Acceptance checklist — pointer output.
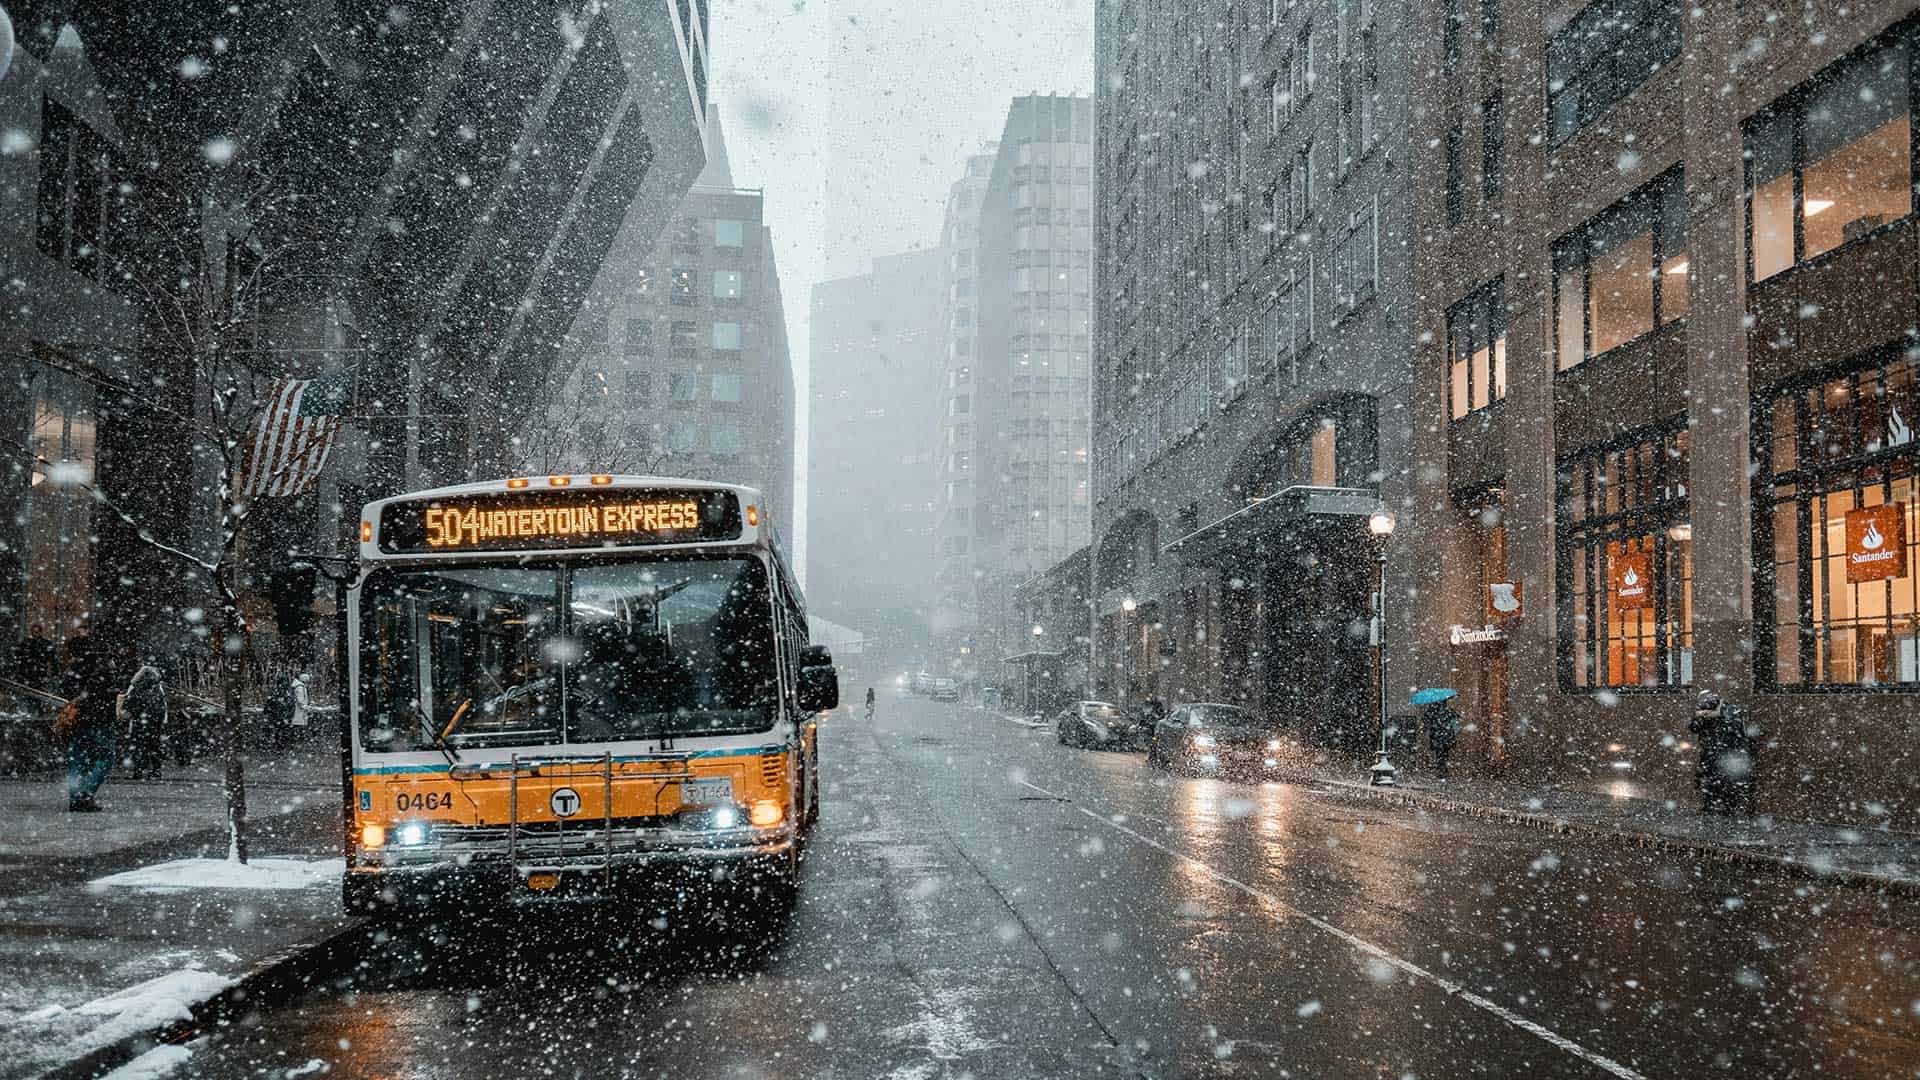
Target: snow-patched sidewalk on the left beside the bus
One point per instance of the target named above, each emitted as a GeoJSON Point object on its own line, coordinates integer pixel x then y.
{"type": "Point", "coordinates": [112, 927]}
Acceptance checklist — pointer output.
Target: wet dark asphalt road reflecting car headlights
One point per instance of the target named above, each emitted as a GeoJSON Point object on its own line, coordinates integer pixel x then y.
{"type": "Point", "coordinates": [982, 902]}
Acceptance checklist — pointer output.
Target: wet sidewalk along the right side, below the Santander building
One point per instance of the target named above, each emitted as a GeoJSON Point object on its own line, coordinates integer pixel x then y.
{"type": "Point", "coordinates": [1869, 858]}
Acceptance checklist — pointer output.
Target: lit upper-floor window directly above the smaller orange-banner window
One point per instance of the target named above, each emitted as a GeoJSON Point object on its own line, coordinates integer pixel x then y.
{"type": "Point", "coordinates": [1621, 274]}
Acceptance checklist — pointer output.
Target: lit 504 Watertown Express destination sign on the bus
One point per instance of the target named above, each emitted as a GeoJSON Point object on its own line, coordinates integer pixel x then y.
{"type": "Point", "coordinates": [521, 522]}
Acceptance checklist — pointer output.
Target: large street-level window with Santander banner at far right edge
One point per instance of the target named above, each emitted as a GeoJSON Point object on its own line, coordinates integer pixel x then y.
{"type": "Point", "coordinates": [1836, 604]}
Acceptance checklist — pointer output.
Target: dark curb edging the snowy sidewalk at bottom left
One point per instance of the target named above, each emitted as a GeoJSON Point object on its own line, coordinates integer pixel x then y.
{"type": "Point", "coordinates": [274, 981]}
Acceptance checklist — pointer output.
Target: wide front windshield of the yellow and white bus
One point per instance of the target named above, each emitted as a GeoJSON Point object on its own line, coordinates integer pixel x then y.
{"type": "Point", "coordinates": [565, 654]}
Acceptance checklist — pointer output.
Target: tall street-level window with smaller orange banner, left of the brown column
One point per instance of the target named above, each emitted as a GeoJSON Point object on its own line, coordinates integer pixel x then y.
{"type": "Point", "coordinates": [1625, 566]}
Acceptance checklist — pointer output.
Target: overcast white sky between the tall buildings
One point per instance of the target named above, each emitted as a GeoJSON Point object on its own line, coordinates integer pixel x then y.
{"type": "Point", "coordinates": [857, 116]}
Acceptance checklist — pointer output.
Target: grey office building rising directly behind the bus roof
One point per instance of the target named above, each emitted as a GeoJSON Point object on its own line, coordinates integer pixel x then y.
{"type": "Point", "coordinates": [681, 356]}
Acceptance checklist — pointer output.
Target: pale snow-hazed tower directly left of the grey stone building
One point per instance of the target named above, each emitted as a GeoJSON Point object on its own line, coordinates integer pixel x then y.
{"type": "Point", "coordinates": [1024, 481]}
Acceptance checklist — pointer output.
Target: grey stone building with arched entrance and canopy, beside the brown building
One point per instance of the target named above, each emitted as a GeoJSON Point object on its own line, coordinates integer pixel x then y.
{"type": "Point", "coordinates": [1251, 403]}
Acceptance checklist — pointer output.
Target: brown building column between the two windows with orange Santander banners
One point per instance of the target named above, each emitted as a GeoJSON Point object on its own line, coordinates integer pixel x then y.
{"type": "Point", "coordinates": [1717, 360]}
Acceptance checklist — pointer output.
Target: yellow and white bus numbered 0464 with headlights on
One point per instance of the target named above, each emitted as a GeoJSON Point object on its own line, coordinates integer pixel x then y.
{"type": "Point", "coordinates": [571, 687]}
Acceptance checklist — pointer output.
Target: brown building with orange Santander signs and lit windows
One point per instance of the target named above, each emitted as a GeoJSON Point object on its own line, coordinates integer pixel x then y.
{"type": "Point", "coordinates": [1666, 391]}
